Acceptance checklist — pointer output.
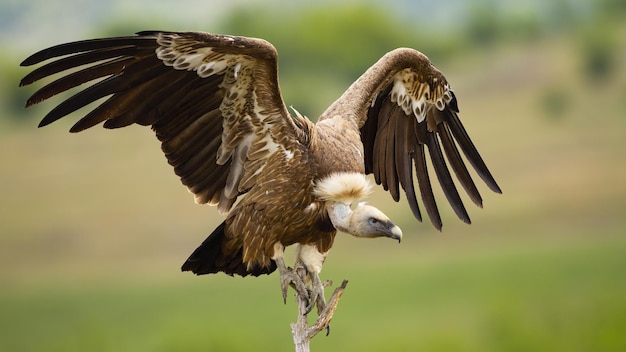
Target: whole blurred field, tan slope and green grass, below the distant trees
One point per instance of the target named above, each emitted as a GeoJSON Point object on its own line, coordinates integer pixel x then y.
{"type": "Point", "coordinates": [94, 227]}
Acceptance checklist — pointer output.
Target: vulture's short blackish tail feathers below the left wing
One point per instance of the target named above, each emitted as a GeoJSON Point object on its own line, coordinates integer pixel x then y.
{"type": "Point", "coordinates": [211, 257]}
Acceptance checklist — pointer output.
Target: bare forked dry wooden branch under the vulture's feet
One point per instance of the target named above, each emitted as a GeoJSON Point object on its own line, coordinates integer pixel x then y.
{"type": "Point", "coordinates": [302, 332]}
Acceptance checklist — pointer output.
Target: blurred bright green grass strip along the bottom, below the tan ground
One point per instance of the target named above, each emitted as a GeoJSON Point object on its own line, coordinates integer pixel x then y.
{"type": "Point", "coordinates": [543, 300]}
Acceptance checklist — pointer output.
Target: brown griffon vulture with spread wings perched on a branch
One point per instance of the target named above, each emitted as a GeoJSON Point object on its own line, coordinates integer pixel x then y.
{"type": "Point", "coordinates": [214, 103]}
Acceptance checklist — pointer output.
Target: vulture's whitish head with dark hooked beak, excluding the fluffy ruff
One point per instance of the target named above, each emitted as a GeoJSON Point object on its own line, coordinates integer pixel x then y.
{"type": "Point", "coordinates": [364, 221]}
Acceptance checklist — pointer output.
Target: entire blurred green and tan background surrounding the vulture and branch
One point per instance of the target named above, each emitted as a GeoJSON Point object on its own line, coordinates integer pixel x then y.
{"type": "Point", "coordinates": [94, 226]}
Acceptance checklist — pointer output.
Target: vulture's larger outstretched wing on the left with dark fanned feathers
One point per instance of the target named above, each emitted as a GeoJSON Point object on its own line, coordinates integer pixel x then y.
{"type": "Point", "coordinates": [213, 101]}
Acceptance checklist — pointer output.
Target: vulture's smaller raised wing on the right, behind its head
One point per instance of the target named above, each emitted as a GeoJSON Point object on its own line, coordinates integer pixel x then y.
{"type": "Point", "coordinates": [405, 109]}
